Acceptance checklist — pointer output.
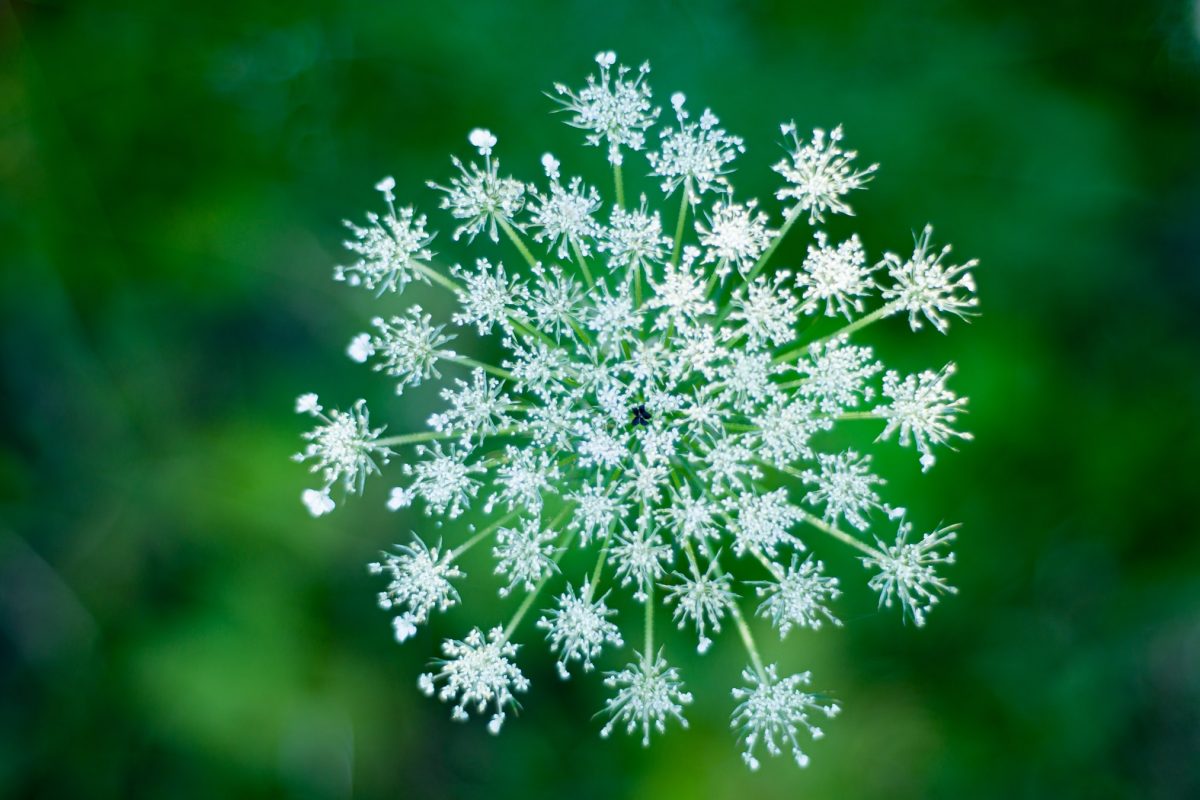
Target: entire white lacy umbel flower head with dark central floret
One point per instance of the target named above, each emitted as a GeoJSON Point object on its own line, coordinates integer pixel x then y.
{"type": "Point", "coordinates": [667, 404]}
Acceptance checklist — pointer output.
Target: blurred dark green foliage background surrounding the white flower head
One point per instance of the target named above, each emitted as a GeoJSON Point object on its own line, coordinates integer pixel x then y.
{"type": "Point", "coordinates": [172, 178]}
